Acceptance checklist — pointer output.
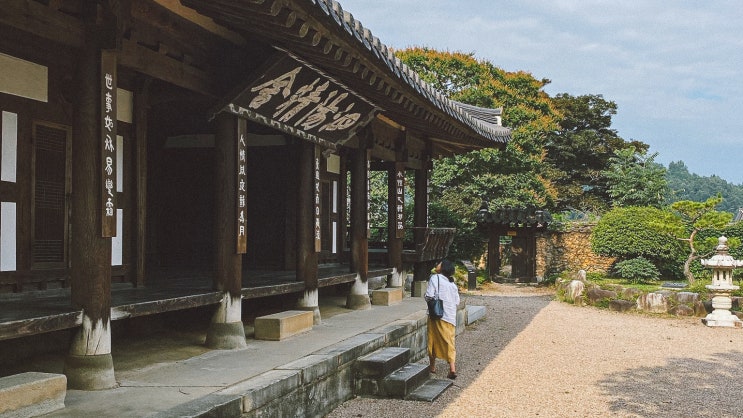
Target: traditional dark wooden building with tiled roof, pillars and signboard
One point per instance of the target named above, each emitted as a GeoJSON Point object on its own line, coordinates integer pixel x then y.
{"type": "Point", "coordinates": [164, 154]}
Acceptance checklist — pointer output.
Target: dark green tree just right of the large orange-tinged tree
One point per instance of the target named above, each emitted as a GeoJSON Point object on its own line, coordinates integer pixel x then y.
{"type": "Point", "coordinates": [579, 152]}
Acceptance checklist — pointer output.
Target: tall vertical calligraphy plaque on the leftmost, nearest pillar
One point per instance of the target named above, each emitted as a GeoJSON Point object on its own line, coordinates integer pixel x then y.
{"type": "Point", "coordinates": [108, 142]}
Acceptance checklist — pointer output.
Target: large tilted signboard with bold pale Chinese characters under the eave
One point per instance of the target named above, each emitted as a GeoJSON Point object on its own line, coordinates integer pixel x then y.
{"type": "Point", "coordinates": [302, 102]}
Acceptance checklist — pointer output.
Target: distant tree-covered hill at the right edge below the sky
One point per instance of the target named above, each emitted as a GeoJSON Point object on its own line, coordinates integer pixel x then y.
{"type": "Point", "coordinates": [688, 186]}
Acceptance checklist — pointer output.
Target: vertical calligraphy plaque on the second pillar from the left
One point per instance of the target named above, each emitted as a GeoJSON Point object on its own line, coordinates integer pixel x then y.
{"type": "Point", "coordinates": [241, 194]}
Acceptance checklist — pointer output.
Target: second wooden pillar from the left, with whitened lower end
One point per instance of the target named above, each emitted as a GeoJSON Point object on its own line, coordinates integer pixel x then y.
{"type": "Point", "coordinates": [226, 330]}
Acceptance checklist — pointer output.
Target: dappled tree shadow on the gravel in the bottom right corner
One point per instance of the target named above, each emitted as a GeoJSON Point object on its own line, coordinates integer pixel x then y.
{"type": "Point", "coordinates": [682, 388]}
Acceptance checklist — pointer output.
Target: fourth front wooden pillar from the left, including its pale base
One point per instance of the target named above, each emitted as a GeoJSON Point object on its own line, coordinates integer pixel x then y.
{"type": "Point", "coordinates": [359, 295]}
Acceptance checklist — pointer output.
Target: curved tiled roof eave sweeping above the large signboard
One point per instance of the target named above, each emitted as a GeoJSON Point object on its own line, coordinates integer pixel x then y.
{"type": "Point", "coordinates": [323, 34]}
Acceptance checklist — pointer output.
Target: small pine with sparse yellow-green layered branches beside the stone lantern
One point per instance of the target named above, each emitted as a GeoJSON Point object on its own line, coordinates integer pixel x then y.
{"type": "Point", "coordinates": [694, 218]}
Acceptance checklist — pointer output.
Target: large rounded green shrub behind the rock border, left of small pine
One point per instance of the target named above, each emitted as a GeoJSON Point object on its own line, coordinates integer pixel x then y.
{"type": "Point", "coordinates": [631, 232]}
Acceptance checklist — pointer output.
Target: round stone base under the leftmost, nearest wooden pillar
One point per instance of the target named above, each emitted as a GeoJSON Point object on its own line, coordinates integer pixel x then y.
{"type": "Point", "coordinates": [95, 372]}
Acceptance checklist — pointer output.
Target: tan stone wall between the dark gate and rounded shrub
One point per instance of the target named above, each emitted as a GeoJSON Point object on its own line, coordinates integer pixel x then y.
{"type": "Point", "coordinates": [569, 250]}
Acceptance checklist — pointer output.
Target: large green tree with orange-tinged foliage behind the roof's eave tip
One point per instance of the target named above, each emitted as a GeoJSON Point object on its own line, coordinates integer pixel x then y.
{"type": "Point", "coordinates": [511, 176]}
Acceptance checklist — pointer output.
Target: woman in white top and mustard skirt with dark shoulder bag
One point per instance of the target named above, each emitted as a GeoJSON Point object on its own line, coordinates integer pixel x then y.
{"type": "Point", "coordinates": [441, 332]}
